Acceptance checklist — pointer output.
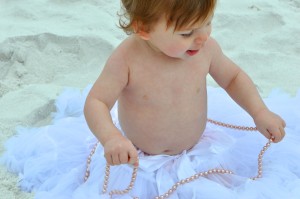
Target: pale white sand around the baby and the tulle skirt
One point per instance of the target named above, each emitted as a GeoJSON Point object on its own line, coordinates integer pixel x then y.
{"type": "Point", "coordinates": [49, 45]}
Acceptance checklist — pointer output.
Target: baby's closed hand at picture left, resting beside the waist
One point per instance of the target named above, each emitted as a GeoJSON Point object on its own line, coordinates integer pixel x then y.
{"type": "Point", "coordinates": [119, 150]}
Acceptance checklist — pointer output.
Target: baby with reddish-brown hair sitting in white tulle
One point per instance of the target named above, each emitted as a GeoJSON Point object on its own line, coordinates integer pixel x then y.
{"type": "Point", "coordinates": [158, 77]}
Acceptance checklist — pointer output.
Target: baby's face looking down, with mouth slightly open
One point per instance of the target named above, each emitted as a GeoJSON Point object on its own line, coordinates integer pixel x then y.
{"type": "Point", "coordinates": [183, 43]}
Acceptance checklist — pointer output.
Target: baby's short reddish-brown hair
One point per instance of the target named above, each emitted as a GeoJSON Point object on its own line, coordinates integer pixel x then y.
{"type": "Point", "coordinates": [143, 14]}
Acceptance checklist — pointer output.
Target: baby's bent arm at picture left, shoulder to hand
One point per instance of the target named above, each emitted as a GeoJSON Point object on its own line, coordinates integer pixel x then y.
{"type": "Point", "coordinates": [104, 93]}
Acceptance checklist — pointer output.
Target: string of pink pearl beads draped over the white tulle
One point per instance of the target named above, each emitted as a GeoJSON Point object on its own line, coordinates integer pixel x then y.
{"type": "Point", "coordinates": [181, 182]}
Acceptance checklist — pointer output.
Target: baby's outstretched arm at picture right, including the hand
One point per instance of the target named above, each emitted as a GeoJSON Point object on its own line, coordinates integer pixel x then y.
{"type": "Point", "coordinates": [241, 88]}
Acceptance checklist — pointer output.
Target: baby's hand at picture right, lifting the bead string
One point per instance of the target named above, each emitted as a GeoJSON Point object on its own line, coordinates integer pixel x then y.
{"type": "Point", "coordinates": [270, 125]}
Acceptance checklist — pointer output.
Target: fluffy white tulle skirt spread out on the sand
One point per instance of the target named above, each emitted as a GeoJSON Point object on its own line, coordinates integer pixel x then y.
{"type": "Point", "coordinates": [51, 160]}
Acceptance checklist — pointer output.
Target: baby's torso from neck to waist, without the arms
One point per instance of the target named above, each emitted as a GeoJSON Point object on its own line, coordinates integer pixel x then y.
{"type": "Point", "coordinates": [163, 109]}
